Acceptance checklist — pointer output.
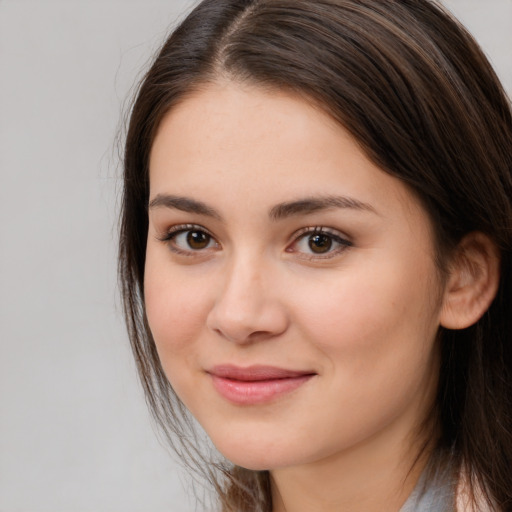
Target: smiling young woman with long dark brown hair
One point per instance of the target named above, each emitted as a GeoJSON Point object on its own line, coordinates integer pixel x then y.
{"type": "Point", "coordinates": [315, 255]}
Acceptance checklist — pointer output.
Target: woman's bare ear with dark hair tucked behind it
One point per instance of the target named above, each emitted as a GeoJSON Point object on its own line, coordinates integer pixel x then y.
{"type": "Point", "coordinates": [472, 283]}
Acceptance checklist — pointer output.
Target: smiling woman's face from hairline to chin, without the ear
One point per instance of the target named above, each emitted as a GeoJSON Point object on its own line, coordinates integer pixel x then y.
{"type": "Point", "coordinates": [290, 284]}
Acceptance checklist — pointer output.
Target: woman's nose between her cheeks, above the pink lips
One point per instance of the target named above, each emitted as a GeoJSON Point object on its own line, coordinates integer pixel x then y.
{"type": "Point", "coordinates": [247, 307]}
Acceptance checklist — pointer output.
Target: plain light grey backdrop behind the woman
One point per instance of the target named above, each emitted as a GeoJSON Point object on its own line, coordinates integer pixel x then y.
{"type": "Point", "coordinates": [75, 435]}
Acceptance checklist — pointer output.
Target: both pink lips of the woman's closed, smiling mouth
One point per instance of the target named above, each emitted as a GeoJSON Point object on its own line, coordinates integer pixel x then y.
{"type": "Point", "coordinates": [256, 384]}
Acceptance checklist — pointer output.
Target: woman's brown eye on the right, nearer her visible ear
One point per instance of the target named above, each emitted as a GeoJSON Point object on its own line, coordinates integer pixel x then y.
{"type": "Point", "coordinates": [319, 243]}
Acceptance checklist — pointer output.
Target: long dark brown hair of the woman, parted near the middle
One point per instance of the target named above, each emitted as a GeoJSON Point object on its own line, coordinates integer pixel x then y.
{"type": "Point", "coordinates": [415, 91]}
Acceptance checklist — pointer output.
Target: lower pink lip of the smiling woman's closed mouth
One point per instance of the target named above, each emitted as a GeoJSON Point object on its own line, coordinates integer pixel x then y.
{"type": "Point", "coordinates": [256, 392]}
